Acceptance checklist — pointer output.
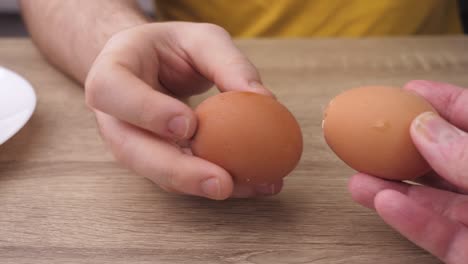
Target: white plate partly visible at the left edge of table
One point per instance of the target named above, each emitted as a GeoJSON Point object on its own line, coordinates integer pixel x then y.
{"type": "Point", "coordinates": [17, 103]}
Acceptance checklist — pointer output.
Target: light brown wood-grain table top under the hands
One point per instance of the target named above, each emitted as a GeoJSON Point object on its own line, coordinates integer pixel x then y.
{"type": "Point", "coordinates": [64, 200]}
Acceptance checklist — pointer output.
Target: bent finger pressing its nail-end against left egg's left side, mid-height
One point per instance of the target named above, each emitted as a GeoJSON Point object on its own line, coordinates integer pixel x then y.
{"type": "Point", "coordinates": [115, 90]}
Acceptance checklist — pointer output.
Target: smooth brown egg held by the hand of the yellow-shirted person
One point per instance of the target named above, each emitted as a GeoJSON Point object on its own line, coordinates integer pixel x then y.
{"type": "Point", "coordinates": [254, 137]}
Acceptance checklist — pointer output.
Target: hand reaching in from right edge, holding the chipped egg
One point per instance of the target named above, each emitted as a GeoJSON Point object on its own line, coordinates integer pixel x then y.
{"type": "Point", "coordinates": [433, 216]}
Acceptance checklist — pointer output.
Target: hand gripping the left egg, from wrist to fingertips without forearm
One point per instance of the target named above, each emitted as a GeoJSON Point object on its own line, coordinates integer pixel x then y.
{"type": "Point", "coordinates": [131, 88]}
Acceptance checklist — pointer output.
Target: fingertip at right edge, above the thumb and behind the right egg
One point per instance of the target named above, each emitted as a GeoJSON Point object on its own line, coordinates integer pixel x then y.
{"type": "Point", "coordinates": [449, 100]}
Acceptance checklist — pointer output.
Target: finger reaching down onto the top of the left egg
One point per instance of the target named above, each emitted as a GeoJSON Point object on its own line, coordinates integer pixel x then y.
{"type": "Point", "coordinates": [213, 53]}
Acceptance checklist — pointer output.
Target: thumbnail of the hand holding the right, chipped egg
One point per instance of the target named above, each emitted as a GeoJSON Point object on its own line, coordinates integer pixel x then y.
{"type": "Point", "coordinates": [434, 129]}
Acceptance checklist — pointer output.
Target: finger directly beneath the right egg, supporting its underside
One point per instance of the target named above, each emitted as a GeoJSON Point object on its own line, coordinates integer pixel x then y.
{"type": "Point", "coordinates": [364, 189]}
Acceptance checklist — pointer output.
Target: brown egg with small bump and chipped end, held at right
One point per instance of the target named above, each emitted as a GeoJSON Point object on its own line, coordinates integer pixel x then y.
{"type": "Point", "coordinates": [369, 129]}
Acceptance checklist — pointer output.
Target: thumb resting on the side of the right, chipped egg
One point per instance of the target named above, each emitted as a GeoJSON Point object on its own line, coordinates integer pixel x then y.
{"type": "Point", "coordinates": [444, 146]}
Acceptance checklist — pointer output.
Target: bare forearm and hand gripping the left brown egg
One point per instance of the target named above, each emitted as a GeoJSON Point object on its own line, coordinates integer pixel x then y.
{"type": "Point", "coordinates": [134, 72]}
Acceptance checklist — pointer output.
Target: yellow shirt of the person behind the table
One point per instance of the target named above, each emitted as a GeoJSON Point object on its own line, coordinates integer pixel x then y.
{"type": "Point", "coordinates": [318, 18]}
